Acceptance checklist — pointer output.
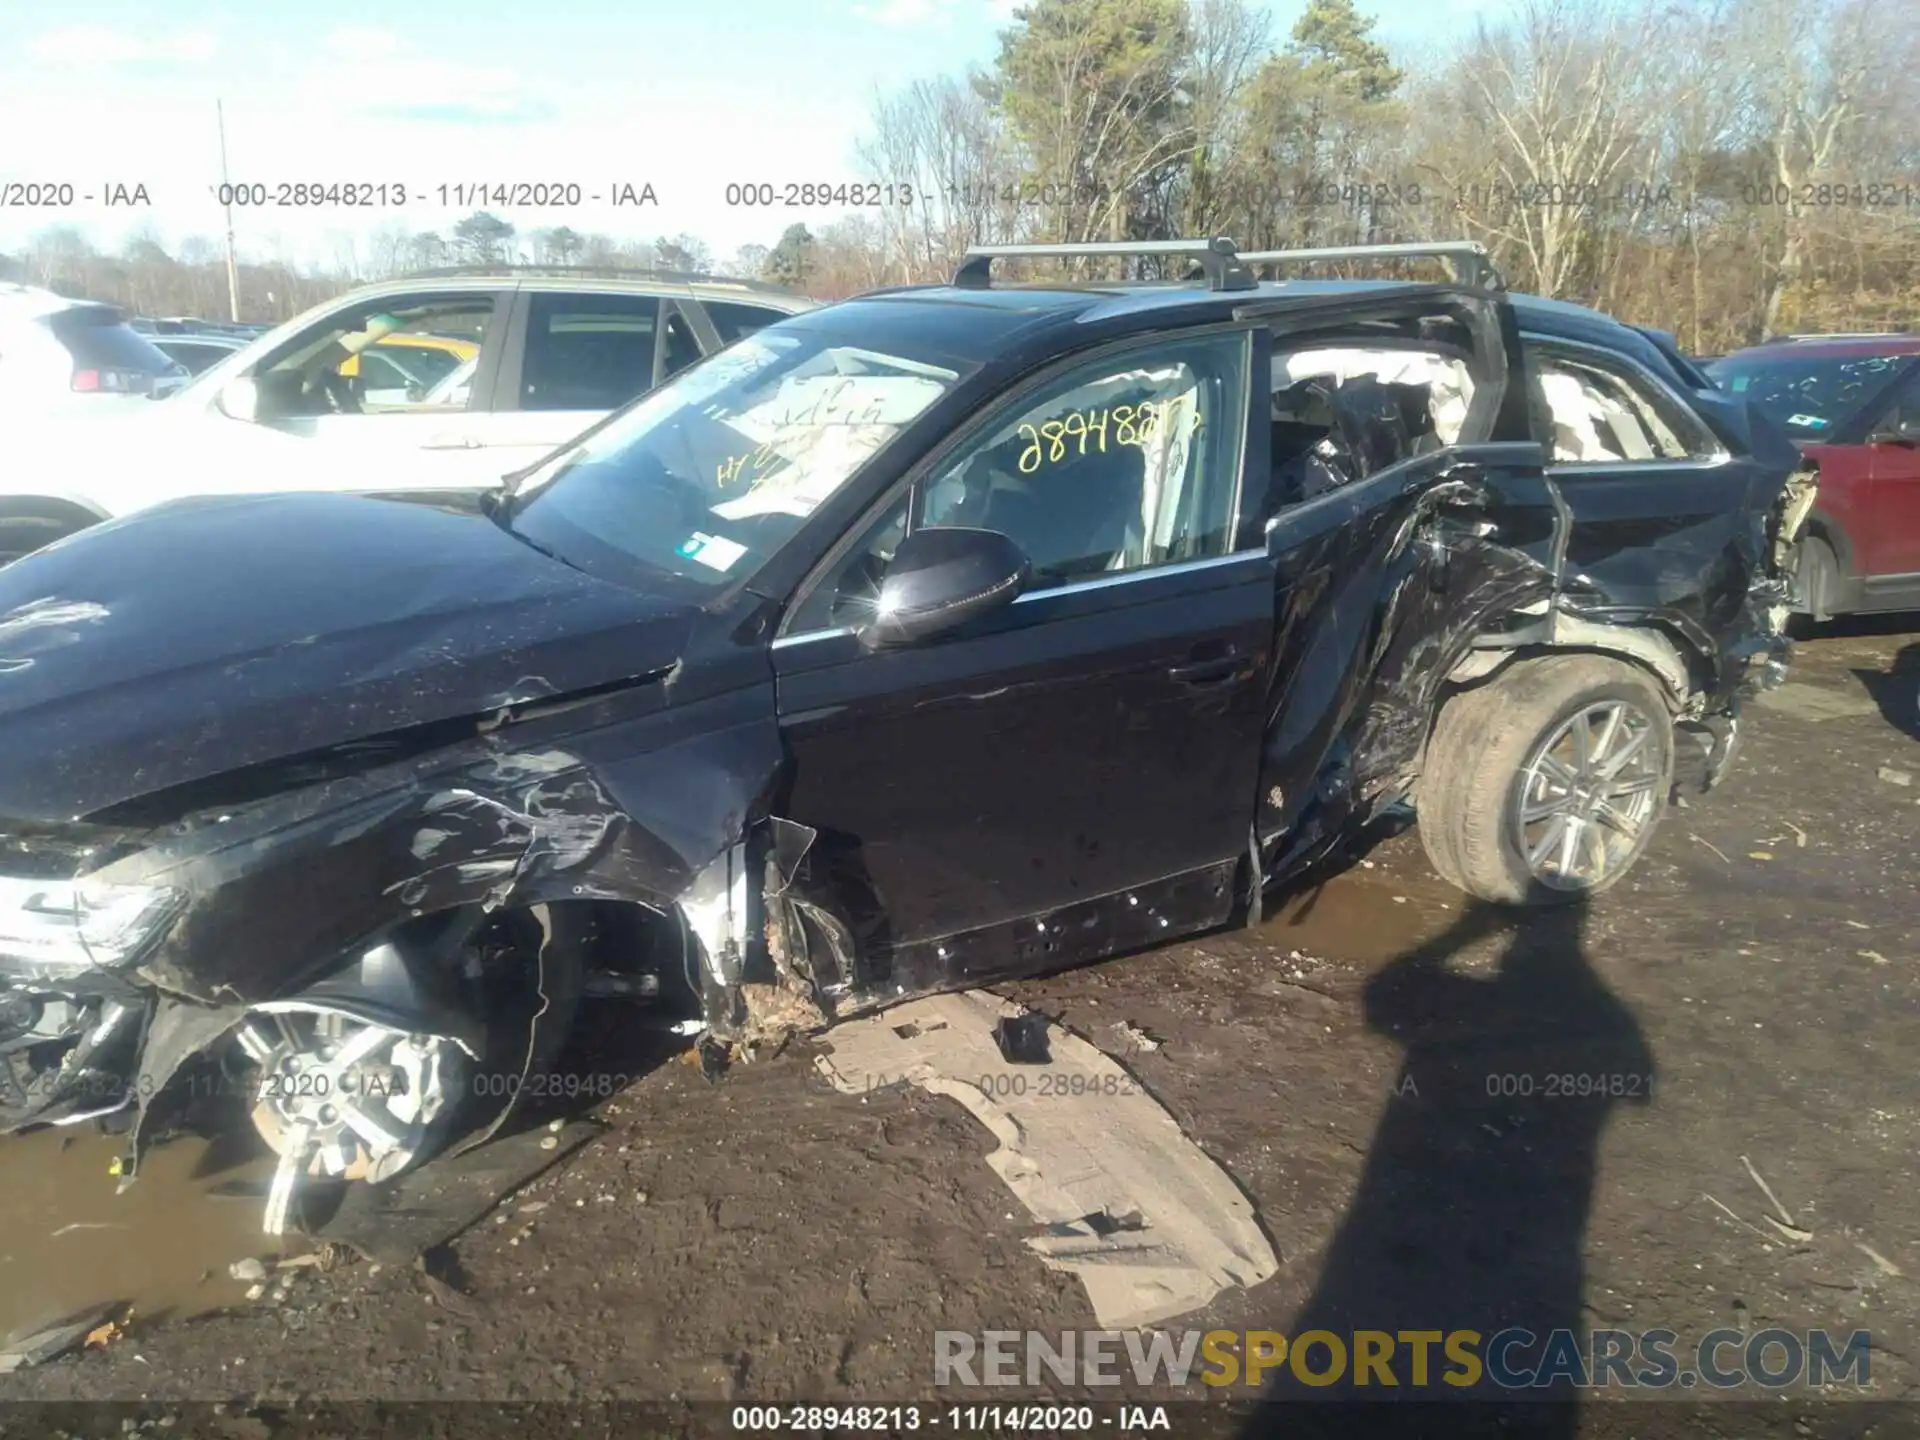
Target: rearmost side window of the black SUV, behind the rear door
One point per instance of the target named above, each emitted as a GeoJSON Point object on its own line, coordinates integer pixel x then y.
{"type": "Point", "coordinates": [1604, 414]}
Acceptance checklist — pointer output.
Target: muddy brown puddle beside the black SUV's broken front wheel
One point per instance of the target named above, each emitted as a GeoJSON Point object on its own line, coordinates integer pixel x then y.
{"type": "Point", "coordinates": [162, 1247]}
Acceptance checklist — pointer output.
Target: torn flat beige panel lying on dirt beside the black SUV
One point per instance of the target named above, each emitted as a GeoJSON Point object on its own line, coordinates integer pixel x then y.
{"type": "Point", "coordinates": [1128, 1203]}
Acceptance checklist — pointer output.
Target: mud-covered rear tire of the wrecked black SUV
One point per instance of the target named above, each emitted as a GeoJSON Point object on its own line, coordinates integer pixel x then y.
{"type": "Point", "coordinates": [1477, 769]}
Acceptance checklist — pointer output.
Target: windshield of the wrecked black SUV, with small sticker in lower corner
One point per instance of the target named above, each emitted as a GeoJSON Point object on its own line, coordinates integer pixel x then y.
{"type": "Point", "coordinates": [717, 469]}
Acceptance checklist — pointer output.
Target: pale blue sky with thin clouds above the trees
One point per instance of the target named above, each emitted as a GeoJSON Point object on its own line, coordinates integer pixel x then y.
{"type": "Point", "coordinates": [686, 97]}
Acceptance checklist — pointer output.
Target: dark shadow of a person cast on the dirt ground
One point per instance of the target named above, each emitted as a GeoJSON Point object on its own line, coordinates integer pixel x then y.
{"type": "Point", "coordinates": [1474, 1203]}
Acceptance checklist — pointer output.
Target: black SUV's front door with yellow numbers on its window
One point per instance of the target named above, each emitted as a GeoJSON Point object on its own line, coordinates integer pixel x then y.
{"type": "Point", "coordinates": [978, 794]}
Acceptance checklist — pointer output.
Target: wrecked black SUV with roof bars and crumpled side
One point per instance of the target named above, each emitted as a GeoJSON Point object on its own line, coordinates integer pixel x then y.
{"type": "Point", "coordinates": [936, 636]}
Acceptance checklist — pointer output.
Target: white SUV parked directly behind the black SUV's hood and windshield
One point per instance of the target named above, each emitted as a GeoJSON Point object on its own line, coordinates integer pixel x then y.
{"type": "Point", "coordinates": [529, 360]}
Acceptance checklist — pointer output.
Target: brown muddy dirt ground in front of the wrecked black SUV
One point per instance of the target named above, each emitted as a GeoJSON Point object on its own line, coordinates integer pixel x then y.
{"type": "Point", "coordinates": [767, 1239]}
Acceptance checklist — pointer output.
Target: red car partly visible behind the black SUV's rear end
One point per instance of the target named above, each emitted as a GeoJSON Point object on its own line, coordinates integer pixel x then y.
{"type": "Point", "coordinates": [1854, 406]}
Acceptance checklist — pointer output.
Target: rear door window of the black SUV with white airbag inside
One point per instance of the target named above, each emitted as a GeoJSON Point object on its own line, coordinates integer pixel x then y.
{"type": "Point", "coordinates": [1343, 412]}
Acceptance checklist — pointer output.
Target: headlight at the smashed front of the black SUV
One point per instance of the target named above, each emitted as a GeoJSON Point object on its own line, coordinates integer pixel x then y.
{"type": "Point", "coordinates": [57, 928]}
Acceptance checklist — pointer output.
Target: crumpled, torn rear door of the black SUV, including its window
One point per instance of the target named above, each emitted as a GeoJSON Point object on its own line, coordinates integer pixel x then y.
{"type": "Point", "coordinates": [1408, 502]}
